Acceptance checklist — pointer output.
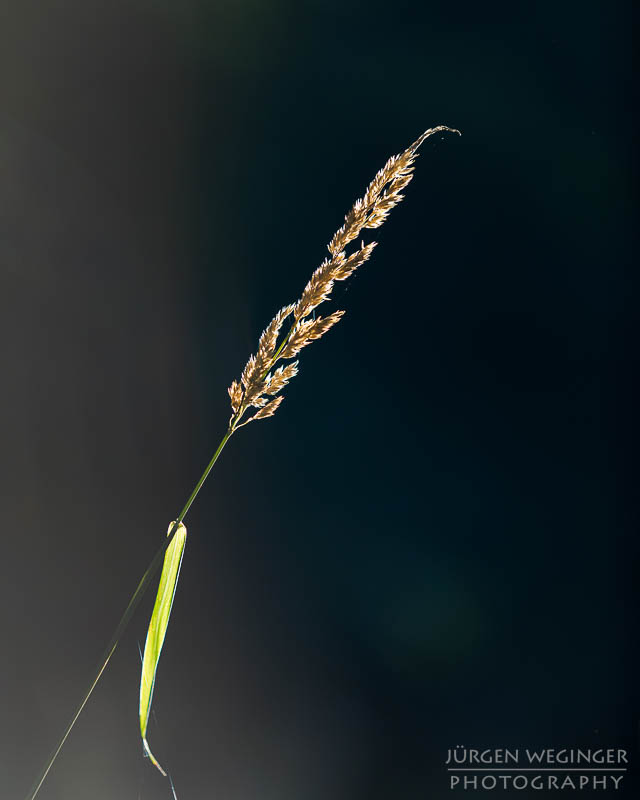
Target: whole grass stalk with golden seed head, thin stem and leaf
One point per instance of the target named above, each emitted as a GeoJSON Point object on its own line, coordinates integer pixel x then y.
{"type": "Point", "coordinates": [260, 384]}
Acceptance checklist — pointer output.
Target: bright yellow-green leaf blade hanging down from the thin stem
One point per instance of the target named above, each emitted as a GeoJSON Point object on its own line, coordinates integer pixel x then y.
{"type": "Point", "coordinates": [158, 628]}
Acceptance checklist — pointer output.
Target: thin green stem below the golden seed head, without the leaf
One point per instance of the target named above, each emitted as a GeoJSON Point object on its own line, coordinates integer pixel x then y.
{"type": "Point", "coordinates": [128, 613]}
